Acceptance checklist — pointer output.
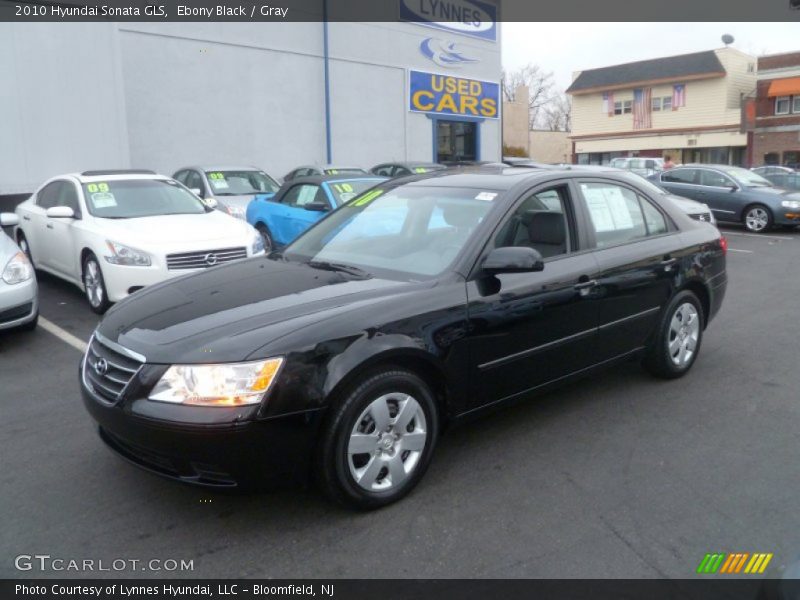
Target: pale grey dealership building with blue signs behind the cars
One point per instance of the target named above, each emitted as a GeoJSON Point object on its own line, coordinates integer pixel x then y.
{"type": "Point", "coordinates": [164, 95]}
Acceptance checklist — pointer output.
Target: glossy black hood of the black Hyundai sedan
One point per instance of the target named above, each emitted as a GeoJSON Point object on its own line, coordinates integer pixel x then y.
{"type": "Point", "coordinates": [234, 312]}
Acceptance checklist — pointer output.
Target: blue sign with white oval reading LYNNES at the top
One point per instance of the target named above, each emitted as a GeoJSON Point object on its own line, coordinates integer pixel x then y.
{"type": "Point", "coordinates": [469, 17]}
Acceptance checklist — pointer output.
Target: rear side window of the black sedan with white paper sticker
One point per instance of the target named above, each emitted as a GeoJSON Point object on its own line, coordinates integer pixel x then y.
{"type": "Point", "coordinates": [619, 215]}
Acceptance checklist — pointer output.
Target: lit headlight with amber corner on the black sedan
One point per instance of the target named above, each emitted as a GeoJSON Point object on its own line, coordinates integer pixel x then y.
{"type": "Point", "coordinates": [232, 384]}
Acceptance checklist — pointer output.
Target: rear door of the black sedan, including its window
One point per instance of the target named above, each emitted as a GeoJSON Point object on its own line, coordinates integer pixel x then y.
{"type": "Point", "coordinates": [638, 251]}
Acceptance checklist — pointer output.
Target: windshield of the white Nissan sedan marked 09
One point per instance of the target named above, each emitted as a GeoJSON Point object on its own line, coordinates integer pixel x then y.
{"type": "Point", "coordinates": [131, 198]}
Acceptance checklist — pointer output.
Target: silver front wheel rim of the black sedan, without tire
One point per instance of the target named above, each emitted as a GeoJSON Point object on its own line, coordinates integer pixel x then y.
{"type": "Point", "coordinates": [387, 442]}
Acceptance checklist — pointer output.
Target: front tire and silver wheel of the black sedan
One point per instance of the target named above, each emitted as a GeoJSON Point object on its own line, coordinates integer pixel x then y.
{"type": "Point", "coordinates": [367, 419]}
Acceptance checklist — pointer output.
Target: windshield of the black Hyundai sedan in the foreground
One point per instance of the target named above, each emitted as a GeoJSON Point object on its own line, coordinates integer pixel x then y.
{"type": "Point", "coordinates": [408, 232]}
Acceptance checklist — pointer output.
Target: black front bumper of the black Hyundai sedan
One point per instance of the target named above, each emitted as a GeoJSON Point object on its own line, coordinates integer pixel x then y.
{"type": "Point", "coordinates": [228, 453]}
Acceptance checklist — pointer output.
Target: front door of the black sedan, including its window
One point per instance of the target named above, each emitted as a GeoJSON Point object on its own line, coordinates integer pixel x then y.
{"type": "Point", "coordinates": [528, 329]}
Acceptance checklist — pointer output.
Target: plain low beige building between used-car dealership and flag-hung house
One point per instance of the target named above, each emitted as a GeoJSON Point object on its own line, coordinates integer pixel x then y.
{"type": "Point", "coordinates": [539, 145]}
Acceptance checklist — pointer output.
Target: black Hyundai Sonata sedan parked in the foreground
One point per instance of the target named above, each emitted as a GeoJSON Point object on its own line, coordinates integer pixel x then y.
{"type": "Point", "coordinates": [414, 304]}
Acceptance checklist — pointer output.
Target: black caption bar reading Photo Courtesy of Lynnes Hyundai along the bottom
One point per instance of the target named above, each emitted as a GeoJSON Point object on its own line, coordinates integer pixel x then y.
{"type": "Point", "coordinates": [387, 589]}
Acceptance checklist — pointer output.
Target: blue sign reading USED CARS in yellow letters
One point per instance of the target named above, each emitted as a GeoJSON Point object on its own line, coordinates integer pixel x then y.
{"type": "Point", "coordinates": [449, 95]}
